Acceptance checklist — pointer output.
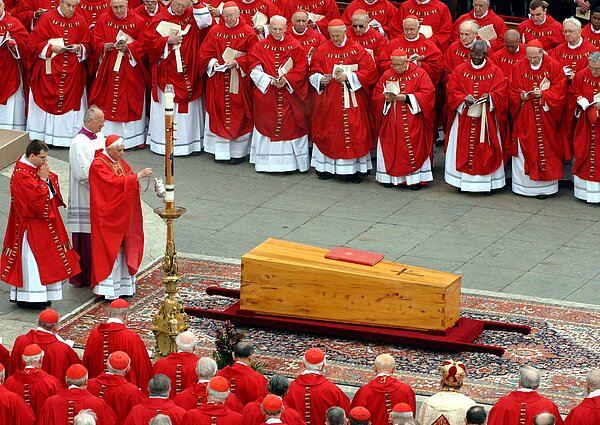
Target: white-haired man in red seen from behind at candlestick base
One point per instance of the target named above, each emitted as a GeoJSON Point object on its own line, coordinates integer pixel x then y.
{"type": "Point", "coordinates": [179, 366]}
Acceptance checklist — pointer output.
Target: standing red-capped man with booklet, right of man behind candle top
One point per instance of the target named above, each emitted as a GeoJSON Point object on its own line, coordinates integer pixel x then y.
{"type": "Point", "coordinates": [224, 56]}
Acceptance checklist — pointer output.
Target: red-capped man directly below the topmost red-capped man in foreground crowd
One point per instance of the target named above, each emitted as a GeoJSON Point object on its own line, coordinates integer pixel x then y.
{"type": "Point", "coordinates": [113, 387]}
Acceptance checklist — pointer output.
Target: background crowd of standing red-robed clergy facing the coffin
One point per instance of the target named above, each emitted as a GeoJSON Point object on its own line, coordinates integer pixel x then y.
{"type": "Point", "coordinates": [268, 79]}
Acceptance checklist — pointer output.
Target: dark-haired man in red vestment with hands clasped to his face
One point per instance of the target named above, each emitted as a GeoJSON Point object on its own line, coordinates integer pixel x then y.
{"type": "Point", "coordinates": [36, 254]}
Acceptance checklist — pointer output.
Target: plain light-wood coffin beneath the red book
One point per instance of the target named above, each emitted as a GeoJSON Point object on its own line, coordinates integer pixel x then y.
{"type": "Point", "coordinates": [281, 278]}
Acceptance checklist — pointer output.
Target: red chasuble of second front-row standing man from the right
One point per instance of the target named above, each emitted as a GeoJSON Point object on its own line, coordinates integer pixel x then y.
{"type": "Point", "coordinates": [538, 130]}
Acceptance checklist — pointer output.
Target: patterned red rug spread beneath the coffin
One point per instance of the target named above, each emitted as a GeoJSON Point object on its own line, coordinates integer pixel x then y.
{"type": "Point", "coordinates": [564, 342]}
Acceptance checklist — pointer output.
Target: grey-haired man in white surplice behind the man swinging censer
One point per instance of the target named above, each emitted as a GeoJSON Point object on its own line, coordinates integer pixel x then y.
{"type": "Point", "coordinates": [81, 155]}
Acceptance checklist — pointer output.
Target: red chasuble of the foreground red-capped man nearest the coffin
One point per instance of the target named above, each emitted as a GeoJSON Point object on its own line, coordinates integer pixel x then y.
{"type": "Point", "coordinates": [312, 394]}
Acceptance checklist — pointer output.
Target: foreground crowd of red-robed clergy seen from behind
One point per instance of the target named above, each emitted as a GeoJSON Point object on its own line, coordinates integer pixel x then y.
{"type": "Point", "coordinates": [44, 380]}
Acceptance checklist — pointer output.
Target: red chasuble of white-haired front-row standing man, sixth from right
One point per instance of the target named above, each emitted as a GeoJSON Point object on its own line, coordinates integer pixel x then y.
{"type": "Point", "coordinates": [279, 114]}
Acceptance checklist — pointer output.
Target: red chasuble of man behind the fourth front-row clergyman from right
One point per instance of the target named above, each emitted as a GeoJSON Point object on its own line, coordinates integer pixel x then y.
{"type": "Point", "coordinates": [422, 46]}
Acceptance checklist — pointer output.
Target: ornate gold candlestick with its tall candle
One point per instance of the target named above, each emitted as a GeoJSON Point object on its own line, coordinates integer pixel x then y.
{"type": "Point", "coordinates": [171, 319]}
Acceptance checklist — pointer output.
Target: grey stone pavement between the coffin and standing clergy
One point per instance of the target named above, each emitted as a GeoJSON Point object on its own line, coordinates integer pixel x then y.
{"type": "Point", "coordinates": [502, 243]}
